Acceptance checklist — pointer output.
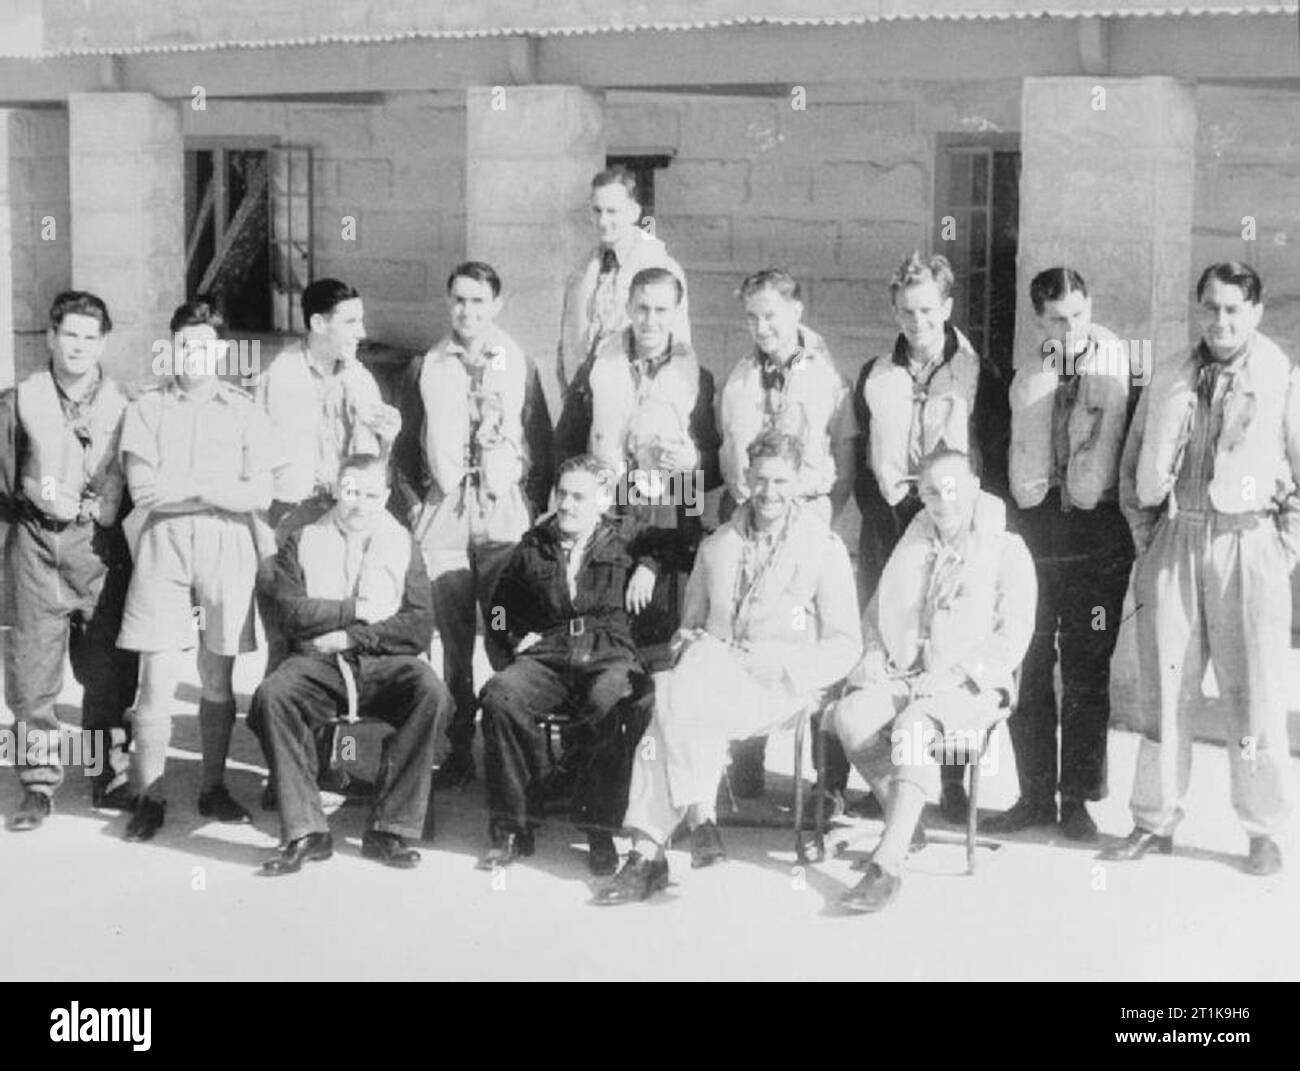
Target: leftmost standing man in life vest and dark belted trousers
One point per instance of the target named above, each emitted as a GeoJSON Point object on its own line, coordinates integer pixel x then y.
{"type": "Point", "coordinates": [68, 560]}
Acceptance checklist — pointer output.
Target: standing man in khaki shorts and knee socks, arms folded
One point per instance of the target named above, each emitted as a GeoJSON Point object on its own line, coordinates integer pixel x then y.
{"type": "Point", "coordinates": [198, 457]}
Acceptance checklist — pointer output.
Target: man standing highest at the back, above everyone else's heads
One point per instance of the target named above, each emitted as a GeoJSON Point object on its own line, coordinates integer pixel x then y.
{"type": "Point", "coordinates": [596, 294]}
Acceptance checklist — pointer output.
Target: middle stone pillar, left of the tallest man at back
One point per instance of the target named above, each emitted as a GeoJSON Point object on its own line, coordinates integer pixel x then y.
{"type": "Point", "coordinates": [531, 153]}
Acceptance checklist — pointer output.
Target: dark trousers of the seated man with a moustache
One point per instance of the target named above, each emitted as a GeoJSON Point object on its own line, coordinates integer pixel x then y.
{"type": "Point", "coordinates": [608, 696]}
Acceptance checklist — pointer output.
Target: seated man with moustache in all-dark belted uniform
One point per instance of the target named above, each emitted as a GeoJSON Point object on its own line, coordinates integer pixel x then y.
{"type": "Point", "coordinates": [564, 602]}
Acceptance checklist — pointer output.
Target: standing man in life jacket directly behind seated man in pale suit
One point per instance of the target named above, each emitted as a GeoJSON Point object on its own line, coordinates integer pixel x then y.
{"type": "Point", "coordinates": [788, 383]}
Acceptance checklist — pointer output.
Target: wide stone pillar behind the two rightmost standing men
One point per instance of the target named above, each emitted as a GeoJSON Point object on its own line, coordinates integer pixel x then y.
{"type": "Point", "coordinates": [1107, 180]}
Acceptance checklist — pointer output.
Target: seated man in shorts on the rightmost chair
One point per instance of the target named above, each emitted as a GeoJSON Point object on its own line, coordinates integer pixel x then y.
{"type": "Point", "coordinates": [946, 631]}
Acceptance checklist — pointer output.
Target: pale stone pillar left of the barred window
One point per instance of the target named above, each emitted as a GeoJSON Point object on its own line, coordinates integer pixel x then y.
{"type": "Point", "coordinates": [128, 206]}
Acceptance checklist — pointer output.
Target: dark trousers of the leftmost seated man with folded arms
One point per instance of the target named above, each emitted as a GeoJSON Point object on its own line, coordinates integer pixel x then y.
{"type": "Point", "coordinates": [297, 706]}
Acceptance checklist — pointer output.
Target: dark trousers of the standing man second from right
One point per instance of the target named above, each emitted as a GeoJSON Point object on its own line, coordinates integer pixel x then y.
{"type": "Point", "coordinates": [1082, 560]}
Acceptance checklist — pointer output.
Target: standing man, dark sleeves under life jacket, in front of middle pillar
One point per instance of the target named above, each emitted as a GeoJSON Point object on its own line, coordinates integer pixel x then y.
{"type": "Point", "coordinates": [473, 469]}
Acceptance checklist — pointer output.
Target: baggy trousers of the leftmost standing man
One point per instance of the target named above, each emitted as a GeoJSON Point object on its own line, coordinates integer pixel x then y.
{"type": "Point", "coordinates": [70, 589]}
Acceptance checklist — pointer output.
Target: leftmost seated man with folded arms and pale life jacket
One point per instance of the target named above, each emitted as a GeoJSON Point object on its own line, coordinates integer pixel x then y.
{"type": "Point", "coordinates": [354, 599]}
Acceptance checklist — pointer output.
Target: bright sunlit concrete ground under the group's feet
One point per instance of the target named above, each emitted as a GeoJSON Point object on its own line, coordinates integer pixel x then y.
{"type": "Point", "coordinates": [80, 904]}
